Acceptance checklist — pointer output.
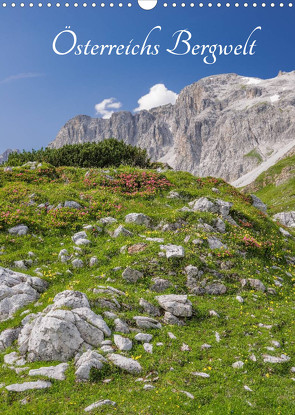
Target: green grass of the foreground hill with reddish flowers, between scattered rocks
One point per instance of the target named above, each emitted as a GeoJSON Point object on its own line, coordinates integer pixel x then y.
{"type": "Point", "coordinates": [255, 249]}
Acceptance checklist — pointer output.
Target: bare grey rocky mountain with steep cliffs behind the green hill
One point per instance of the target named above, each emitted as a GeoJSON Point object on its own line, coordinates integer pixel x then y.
{"type": "Point", "coordinates": [224, 126]}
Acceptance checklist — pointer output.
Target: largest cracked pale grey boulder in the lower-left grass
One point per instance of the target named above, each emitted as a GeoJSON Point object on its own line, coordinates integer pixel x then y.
{"type": "Point", "coordinates": [62, 329]}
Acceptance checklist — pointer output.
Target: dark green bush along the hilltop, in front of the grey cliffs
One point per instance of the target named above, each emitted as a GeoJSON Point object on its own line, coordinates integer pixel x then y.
{"type": "Point", "coordinates": [107, 153]}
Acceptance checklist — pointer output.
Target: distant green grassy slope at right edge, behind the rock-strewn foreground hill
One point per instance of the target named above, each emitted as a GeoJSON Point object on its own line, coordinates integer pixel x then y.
{"type": "Point", "coordinates": [276, 186]}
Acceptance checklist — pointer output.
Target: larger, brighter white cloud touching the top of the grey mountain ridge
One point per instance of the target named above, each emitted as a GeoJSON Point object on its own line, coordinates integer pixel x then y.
{"type": "Point", "coordinates": [158, 95]}
